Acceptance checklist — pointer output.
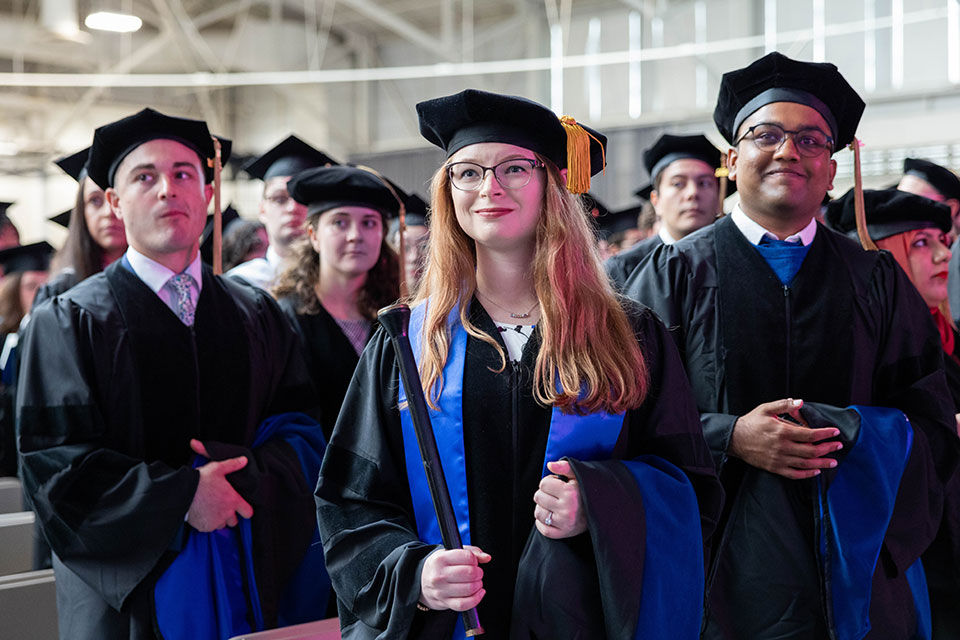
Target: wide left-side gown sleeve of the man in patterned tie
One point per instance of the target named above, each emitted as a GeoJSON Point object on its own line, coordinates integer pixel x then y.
{"type": "Point", "coordinates": [108, 516]}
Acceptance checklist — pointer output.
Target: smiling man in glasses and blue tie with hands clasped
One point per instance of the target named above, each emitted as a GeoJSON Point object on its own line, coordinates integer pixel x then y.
{"type": "Point", "coordinates": [783, 325]}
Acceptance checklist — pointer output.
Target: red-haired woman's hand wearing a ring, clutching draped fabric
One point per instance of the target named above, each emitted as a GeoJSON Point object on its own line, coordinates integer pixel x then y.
{"type": "Point", "coordinates": [561, 498]}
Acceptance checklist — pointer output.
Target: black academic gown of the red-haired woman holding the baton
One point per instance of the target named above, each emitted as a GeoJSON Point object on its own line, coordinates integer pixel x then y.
{"type": "Point", "coordinates": [364, 506]}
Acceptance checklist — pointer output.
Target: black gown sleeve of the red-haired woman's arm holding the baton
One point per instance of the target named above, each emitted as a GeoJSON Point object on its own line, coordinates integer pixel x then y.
{"type": "Point", "coordinates": [364, 508]}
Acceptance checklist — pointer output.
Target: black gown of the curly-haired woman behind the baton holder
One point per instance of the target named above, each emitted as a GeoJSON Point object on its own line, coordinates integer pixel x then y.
{"type": "Point", "coordinates": [331, 359]}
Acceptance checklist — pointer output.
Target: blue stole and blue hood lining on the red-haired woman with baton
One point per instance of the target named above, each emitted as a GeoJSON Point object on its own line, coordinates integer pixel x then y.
{"type": "Point", "coordinates": [670, 505]}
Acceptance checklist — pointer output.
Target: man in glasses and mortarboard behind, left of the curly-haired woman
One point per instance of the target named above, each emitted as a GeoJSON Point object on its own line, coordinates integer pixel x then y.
{"type": "Point", "coordinates": [282, 216]}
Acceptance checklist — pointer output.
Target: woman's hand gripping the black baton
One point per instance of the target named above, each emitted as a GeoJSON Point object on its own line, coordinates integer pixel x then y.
{"type": "Point", "coordinates": [453, 579]}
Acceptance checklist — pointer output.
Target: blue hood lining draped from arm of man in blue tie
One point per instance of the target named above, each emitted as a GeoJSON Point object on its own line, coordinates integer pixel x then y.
{"type": "Point", "coordinates": [859, 505]}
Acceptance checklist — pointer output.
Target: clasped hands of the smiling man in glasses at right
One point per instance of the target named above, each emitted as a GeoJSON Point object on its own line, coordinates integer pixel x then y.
{"type": "Point", "coordinates": [765, 440]}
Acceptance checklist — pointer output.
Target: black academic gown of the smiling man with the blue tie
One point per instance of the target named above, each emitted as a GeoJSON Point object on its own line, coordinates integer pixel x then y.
{"type": "Point", "coordinates": [851, 329]}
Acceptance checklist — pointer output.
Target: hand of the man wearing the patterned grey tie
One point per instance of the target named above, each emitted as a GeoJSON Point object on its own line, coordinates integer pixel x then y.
{"type": "Point", "coordinates": [216, 504]}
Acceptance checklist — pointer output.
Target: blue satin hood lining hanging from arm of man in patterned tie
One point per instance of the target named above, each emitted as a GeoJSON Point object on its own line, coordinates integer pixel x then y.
{"type": "Point", "coordinates": [209, 591]}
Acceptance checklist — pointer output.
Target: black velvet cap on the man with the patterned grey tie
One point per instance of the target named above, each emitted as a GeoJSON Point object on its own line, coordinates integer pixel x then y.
{"type": "Point", "coordinates": [113, 142]}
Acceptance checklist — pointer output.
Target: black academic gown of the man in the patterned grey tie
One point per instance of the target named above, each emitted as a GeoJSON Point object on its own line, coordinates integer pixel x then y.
{"type": "Point", "coordinates": [112, 387]}
